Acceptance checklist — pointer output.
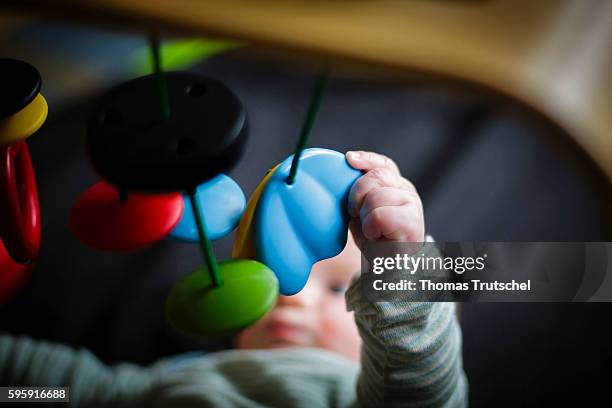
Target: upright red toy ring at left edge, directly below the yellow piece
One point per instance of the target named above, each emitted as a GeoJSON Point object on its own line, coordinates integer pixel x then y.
{"type": "Point", "coordinates": [20, 221]}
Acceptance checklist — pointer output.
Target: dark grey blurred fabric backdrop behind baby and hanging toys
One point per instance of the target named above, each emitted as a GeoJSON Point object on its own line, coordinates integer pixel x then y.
{"type": "Point", "coordinates": [486, 172]}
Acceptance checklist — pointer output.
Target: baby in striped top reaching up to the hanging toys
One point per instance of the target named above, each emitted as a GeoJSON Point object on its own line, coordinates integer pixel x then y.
{"type": "Point", "coordinates": [306, 351]}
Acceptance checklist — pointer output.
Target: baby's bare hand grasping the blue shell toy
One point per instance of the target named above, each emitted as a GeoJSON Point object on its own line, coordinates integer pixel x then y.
{"type": "Point", "coordinates": [384, 205]}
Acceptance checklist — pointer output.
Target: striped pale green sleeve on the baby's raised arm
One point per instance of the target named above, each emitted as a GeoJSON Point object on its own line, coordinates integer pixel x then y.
{"type": "Point", "coordinates": [411, 354]}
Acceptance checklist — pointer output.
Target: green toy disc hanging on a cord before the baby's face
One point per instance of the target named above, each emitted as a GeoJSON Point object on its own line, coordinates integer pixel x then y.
{"type": "Point", "coordinates": [195, 306]}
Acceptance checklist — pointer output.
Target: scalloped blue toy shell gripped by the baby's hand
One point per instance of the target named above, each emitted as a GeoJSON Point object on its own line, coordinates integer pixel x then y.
{"type": "Point", "coordinates": [297, 225]}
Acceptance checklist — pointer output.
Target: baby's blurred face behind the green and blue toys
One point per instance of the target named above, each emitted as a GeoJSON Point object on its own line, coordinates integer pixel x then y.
{"type": "Point", "coordinates": [315, 317]}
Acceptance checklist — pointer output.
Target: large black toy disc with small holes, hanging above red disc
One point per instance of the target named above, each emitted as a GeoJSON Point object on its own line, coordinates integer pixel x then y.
{"type": "Point", "coordinates": [132, 146]}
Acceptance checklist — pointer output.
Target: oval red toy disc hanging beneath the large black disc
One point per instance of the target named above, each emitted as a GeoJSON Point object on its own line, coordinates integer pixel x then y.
{"type": "Point", "coordinates": [102, 221]}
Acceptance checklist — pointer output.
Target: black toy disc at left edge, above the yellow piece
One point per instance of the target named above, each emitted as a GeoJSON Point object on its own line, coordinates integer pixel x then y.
{"type": "Point", "coordinates": [20, 83]}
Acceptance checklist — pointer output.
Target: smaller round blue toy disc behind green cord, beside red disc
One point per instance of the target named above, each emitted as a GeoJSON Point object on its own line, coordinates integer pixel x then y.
{"type": "Point", "coordinates": [222, 202]}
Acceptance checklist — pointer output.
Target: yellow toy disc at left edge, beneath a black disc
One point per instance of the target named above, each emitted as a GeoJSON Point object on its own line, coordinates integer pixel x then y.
{"type": "Point", "coordinates": [24, 123]}
